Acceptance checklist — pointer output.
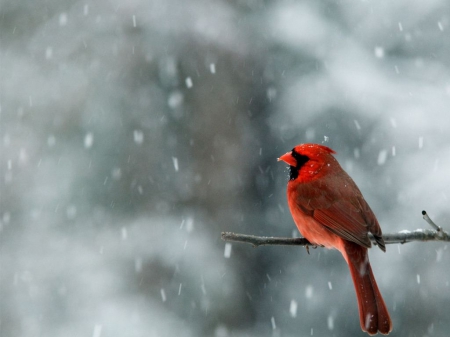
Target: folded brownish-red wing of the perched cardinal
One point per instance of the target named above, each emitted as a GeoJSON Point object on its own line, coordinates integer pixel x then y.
{"type": "Point", "coordinates": [339, 205]}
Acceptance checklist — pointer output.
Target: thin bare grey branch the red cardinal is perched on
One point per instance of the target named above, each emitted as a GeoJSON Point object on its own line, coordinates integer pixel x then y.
{"type": "Point", "coordinates": [390, 238]}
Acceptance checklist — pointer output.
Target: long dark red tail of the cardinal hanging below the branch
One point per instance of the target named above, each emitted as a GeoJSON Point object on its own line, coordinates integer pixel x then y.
{"type": "Point", "coordinates": [373, 314]}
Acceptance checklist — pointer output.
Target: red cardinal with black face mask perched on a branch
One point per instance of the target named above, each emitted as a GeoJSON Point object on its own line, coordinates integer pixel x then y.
{"type": "Point", "coordinates": [329, 210]}
